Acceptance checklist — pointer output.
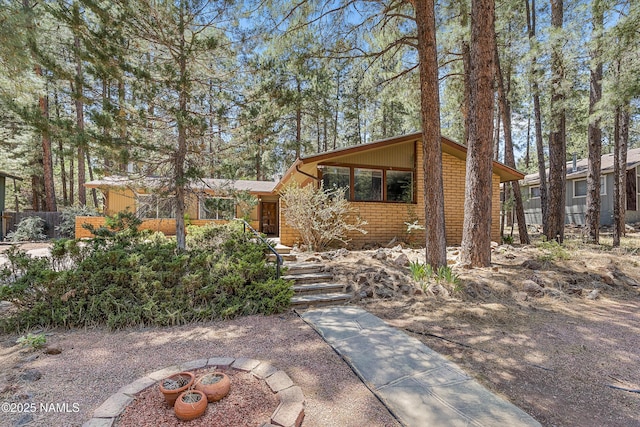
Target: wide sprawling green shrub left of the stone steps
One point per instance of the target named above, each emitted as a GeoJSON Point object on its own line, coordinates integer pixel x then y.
{"type": "Point", "coordinates": [123, 278]}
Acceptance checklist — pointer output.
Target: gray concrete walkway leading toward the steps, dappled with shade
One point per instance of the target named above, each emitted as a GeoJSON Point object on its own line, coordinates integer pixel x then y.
{"type": "Point", "coordinates": [419, 386]}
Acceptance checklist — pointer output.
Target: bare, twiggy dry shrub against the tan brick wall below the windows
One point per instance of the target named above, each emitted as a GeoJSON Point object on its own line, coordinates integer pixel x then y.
{"type": "Point", "coordinates": [320, 216]}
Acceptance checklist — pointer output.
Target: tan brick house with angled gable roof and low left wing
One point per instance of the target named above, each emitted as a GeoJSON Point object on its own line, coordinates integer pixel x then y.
{"type": "Point", "coordinates": [385, 186]}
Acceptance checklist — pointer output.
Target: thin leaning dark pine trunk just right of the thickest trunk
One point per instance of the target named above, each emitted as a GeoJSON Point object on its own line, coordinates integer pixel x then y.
{"type": "Point", "coordinates": [509, 158]}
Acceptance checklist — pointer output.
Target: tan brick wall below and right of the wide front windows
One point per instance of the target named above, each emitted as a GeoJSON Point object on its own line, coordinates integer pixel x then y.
{"type": "Point", "coordinates": [387, 220]}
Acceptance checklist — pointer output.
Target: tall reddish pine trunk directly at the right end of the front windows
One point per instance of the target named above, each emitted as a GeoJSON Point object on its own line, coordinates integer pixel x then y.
{"type": "Point", "coordinates": [436, 245]}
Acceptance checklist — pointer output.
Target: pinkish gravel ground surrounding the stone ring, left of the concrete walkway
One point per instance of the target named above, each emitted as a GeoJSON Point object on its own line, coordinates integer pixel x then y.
{"type": "Point", "coordinates": [96, 363]}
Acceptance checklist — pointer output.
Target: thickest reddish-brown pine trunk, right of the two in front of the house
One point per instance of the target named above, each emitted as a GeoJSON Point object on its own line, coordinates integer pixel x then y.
{"type": "Point", "coordinates": [476, 231]}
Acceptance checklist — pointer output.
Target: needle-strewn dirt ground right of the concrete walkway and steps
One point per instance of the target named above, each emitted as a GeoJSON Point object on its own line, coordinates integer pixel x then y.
{"type": "Point", "coordinates": [555, 331]}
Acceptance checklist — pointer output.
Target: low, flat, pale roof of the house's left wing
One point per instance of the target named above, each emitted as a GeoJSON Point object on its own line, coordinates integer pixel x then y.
{"type": "Point", "coordinates": [256, 187]}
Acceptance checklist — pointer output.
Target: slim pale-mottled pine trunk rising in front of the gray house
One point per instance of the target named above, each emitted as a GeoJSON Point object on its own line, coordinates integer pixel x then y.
{"type": "Point", "coordinates": [591, 233]}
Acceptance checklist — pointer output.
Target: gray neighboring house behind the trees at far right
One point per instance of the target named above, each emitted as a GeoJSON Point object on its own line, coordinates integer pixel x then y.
{"type": "Point", "coordinates": [576, 191]}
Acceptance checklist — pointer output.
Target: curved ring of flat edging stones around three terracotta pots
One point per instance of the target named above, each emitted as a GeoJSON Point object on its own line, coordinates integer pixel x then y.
{"type": "Point", "coordinates": [289, 413]}
